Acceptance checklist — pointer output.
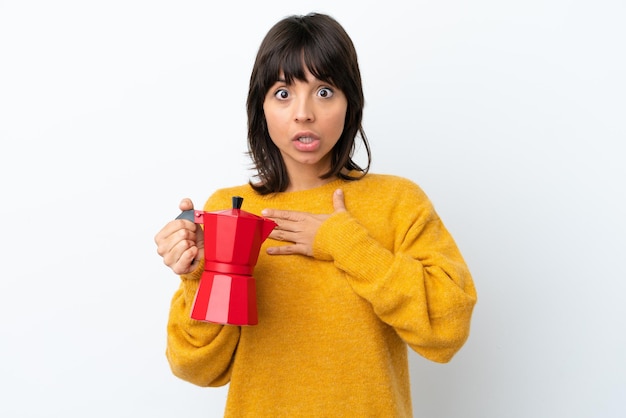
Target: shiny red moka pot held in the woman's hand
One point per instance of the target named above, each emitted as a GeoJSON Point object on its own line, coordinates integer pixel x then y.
{"type": "Point", "coordinates": [232, 241]}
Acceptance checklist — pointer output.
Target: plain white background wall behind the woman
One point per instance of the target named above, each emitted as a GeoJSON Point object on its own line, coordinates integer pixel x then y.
{"type": "Point", "coordinates": [510, 115]}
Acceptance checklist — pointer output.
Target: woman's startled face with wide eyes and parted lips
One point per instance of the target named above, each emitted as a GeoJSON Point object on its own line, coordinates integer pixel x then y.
{"type": "Point", "coordinates": [305, 120]}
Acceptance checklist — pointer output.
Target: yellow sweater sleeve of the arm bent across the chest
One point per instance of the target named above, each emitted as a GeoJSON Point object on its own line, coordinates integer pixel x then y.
{"type": "Point", "coordinates": [421, 287]}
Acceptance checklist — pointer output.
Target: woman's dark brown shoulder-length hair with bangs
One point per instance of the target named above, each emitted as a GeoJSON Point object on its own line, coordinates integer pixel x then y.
{"type": "Point", "coordinates": [320, 43]}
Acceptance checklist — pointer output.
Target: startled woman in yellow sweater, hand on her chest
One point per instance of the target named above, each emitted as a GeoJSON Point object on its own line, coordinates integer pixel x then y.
{"type": "Point", "coordinates": [359, 267]}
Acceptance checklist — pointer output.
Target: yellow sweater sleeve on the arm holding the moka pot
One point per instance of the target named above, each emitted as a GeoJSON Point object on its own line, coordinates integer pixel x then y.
{"type": "Point", "coordinates": [198, 352]}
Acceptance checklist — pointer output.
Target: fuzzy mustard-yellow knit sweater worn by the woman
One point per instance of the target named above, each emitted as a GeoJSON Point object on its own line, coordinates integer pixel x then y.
{"type": "Point", "coordinates": [333, 329]}
